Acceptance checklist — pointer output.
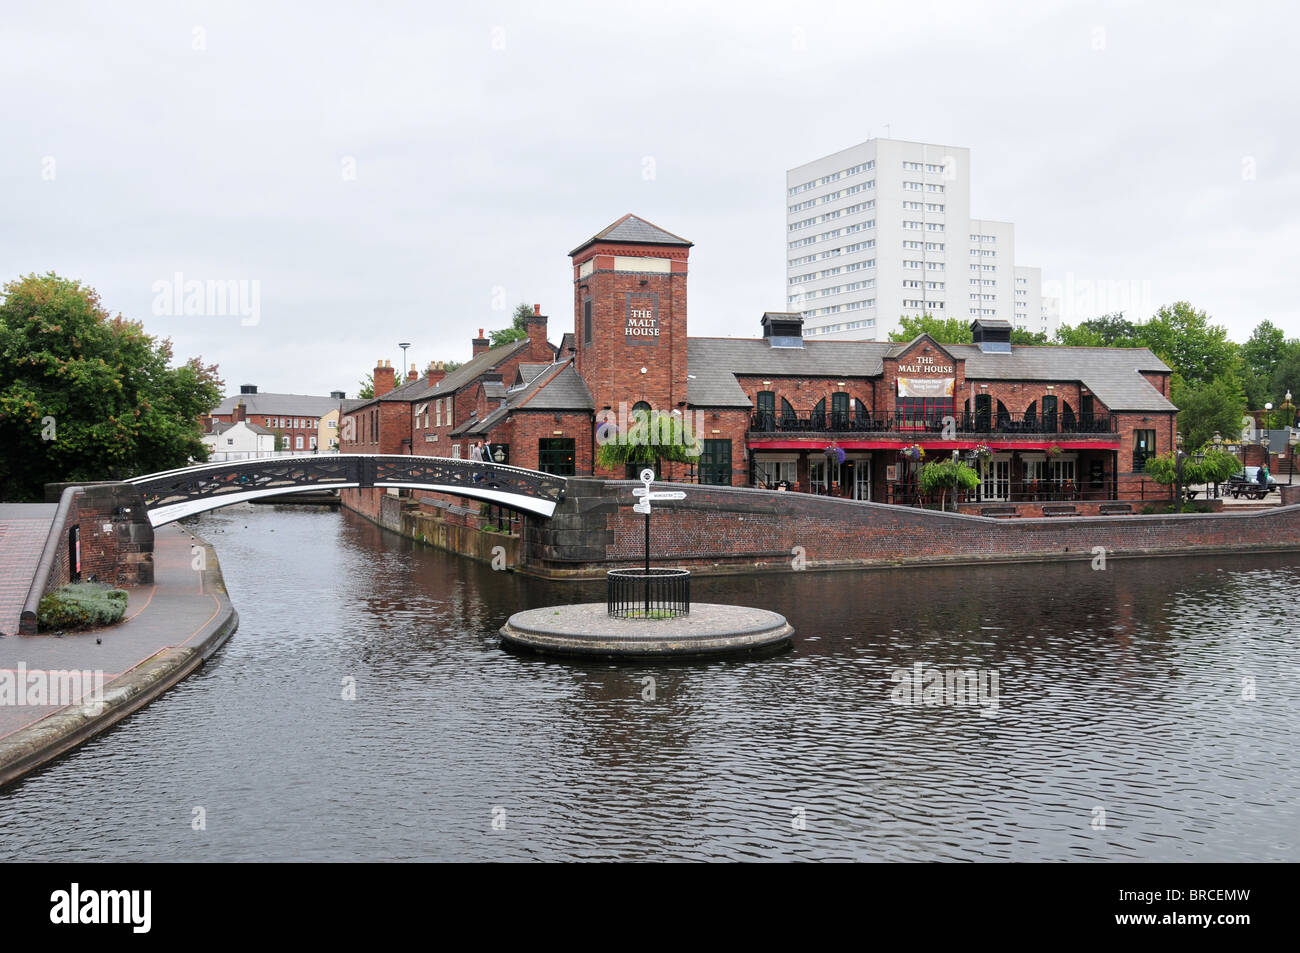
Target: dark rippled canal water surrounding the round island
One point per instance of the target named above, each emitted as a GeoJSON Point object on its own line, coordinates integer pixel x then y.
{"type": "Point", "coordinates": [1143, 712]}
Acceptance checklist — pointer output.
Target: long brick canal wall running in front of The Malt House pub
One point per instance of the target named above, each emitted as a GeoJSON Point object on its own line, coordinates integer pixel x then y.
{"type": "Point", "coordinates": [726, 530]}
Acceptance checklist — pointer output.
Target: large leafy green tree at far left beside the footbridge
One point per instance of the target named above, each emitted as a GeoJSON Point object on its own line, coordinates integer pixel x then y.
{"type": "Point", "coordinates": [85, 396]}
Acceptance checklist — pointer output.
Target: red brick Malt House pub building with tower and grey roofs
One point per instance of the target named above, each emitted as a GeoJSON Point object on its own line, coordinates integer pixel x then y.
{"type": "Point", "coordinates": [775, 410]}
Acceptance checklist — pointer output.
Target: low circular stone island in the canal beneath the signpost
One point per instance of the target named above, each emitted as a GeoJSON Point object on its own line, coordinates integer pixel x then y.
{"type": "Point", "coordinates": [590, 630]}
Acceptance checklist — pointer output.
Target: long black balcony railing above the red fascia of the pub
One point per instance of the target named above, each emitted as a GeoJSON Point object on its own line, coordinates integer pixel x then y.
{"type": "Point", "coordinates": [909, 423]}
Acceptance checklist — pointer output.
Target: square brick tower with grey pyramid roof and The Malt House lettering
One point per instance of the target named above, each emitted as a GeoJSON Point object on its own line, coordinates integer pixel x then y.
{"type": "Point", "coordinates": [630, 313]}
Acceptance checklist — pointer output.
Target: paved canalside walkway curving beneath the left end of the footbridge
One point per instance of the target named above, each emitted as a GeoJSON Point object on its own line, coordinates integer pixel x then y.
{"type": "Point", "coordinates": [180, 610]}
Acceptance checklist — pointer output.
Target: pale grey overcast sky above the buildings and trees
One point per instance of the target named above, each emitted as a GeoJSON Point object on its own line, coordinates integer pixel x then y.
{"type": "Point", "coordinates": [411, 171]}
